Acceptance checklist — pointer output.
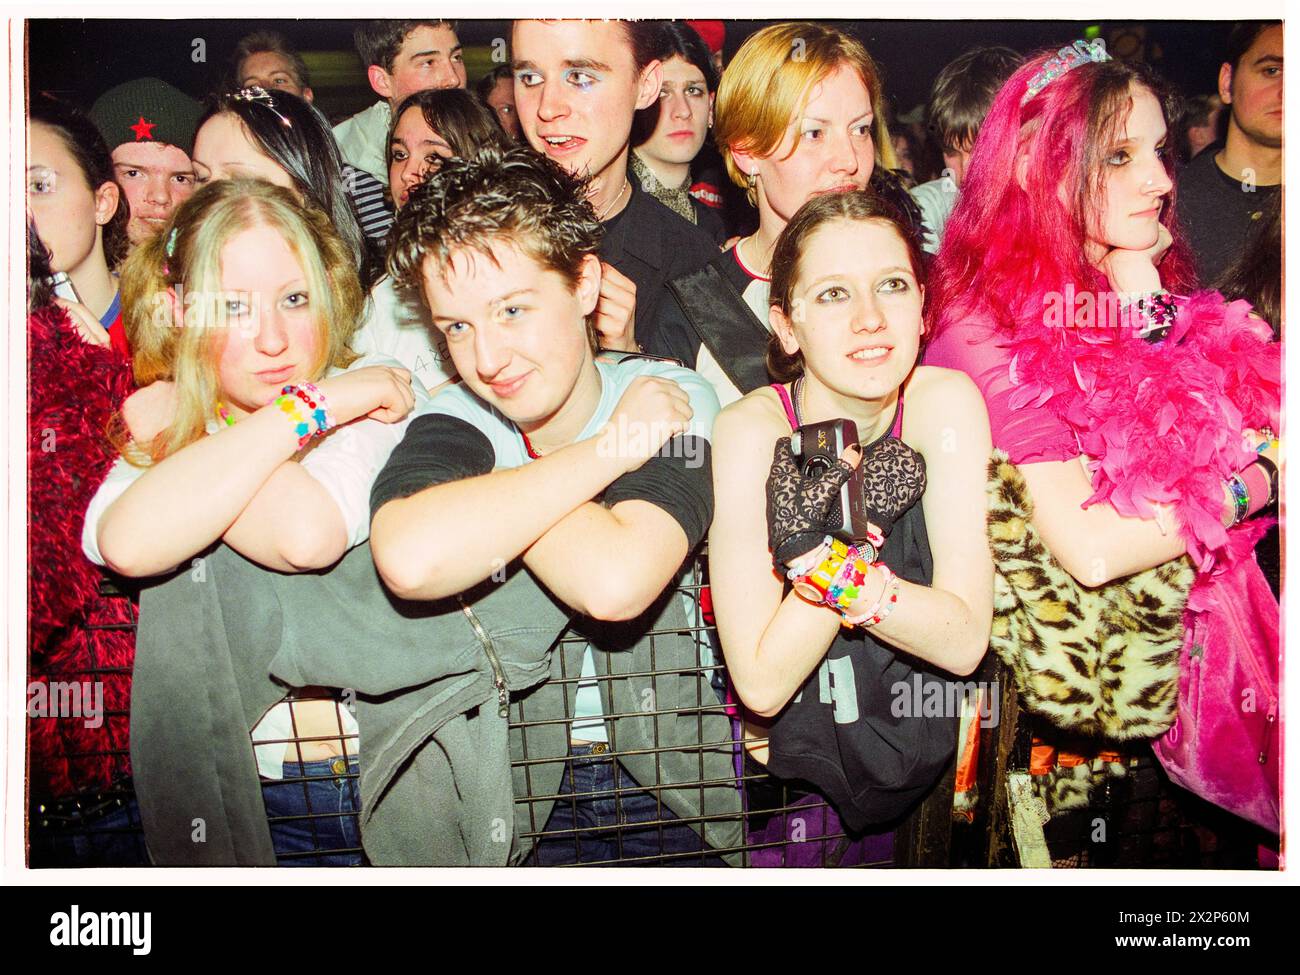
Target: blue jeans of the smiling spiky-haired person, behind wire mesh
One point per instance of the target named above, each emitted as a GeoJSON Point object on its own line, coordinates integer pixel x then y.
{"type": "Point", "coordinates": [595, 824]}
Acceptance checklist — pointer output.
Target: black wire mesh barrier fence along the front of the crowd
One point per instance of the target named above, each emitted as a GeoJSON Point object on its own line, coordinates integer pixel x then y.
{"type": "Point", "coordinates": [603, 817]}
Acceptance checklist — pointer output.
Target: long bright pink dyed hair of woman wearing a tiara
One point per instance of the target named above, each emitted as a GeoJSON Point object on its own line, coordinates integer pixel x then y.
{"type": "Point", "coordinates": [1006, 248]}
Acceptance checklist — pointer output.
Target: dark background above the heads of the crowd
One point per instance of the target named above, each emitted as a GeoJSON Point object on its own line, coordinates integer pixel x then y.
{"type": "Point", "coordinates": [80, 59]}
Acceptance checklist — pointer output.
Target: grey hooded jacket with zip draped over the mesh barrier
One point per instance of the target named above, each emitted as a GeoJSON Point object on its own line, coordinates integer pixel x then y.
{"type": "Point", "coordinates": [219, 644]}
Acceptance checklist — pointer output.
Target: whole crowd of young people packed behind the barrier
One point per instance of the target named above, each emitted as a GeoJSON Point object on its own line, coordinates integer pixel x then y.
{"type": "Point", "coordinates": [358, 421]}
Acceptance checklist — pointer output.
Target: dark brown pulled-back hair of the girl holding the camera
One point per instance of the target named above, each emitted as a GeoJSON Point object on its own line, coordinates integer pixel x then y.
{"type": "Point", "coordinates": [787, 258]}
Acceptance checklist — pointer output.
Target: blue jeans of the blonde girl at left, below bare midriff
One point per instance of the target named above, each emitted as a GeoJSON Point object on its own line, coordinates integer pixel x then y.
{"type": "Point", "coordinates": [314, 814]}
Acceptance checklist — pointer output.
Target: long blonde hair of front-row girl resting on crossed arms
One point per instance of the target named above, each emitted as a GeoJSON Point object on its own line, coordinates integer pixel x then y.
{"type": "Point", "coordinates": [175, 306]}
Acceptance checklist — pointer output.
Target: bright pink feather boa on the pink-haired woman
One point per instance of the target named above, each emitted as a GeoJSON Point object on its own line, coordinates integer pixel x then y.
{"type": "Point", "coordinates": [1160, 423]}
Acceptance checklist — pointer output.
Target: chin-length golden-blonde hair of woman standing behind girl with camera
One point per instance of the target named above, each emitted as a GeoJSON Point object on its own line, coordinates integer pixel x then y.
{"type": "Point", "coordinates": [769, 83]}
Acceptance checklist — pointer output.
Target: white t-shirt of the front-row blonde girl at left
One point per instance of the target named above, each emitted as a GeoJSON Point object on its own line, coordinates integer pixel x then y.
{"type": "Point", "coordinates": [345, 462]}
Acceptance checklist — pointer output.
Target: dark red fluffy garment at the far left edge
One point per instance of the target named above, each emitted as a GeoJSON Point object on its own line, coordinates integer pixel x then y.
{"type": "Point", "coordinates": [73, 391]}
